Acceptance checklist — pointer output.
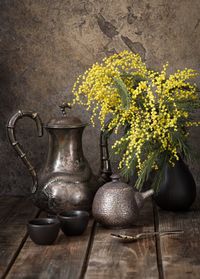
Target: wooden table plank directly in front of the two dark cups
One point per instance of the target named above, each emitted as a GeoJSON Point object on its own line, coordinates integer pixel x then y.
{"type": "Point", "coordinates": [64, 259]}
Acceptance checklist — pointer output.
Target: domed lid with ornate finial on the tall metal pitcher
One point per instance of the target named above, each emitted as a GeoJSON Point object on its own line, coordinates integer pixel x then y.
{"type": "Point", "coordinates": [65, 121]}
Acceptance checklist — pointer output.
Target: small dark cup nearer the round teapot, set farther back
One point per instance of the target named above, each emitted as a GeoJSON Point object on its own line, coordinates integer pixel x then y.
{"type": "Point", "coordinates": [73, 222]}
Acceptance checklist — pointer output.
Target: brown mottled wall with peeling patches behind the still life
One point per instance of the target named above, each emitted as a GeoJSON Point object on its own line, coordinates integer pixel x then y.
{"type": "Point", "coordinates": [45, 44]}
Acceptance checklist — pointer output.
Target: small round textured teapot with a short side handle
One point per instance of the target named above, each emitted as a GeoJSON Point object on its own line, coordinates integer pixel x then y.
{"type": "Point", "coordinates": [116, 204]}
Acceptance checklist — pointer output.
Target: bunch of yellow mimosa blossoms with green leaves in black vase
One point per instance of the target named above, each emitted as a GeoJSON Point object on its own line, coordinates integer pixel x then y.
{"type": "Point", "coordinates": [153, 109]}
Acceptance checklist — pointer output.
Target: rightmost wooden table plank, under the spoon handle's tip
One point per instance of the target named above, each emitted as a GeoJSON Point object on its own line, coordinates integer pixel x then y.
{"type": "Point", "coordinates": [180, 255]}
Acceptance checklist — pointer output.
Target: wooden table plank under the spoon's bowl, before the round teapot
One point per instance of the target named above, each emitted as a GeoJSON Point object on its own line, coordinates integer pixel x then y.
{"type": "Point", "coordinates": [112, 259]}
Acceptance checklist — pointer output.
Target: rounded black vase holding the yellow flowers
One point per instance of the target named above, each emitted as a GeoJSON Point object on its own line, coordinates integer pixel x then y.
{"type": "Point", "coordinates": [177, 191]}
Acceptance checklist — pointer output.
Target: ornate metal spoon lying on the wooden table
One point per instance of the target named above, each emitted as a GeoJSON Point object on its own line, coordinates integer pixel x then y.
{"type": "Point", "coordinates": [129, 238]}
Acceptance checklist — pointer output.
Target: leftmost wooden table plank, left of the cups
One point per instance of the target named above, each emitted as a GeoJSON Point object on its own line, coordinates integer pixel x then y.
{"type": "Point", "coordinates": [14, 214]}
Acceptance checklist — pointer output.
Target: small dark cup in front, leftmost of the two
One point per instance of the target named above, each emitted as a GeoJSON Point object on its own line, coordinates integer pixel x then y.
{"type": "Point", "coordinates": [43, 231]}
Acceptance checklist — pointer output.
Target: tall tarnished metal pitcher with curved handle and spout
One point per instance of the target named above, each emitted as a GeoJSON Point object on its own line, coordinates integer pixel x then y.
{"type": "Point", "coordinates": [66, 181]}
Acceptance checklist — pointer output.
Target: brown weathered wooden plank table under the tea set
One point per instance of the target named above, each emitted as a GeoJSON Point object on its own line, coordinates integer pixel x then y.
{"type": "Point", "coordinates": [95, 254]}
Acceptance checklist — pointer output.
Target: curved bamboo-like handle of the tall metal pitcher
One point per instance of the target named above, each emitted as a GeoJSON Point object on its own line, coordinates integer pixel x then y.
{"type": "Point", "coordinates": [17, 147]}
